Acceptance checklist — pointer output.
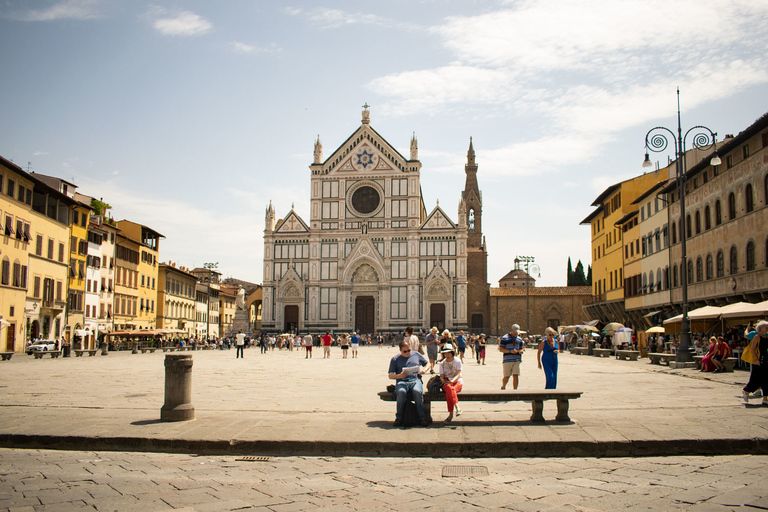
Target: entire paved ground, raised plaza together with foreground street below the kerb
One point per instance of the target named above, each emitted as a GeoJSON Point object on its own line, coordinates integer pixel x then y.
{"type": "Point", "coordinates": [280, 432]}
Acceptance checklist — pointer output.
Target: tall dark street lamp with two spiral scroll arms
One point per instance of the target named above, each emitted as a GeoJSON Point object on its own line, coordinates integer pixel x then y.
{"type": "Point", "coordinates": [657, 140]}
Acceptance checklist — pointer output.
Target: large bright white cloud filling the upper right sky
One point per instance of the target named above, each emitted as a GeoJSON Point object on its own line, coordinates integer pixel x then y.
{"type": "Point", "coordinates": [583, 70]}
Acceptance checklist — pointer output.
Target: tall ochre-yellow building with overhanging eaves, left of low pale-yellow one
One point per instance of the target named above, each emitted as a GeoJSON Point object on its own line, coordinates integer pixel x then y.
{"type": "Point", "coordinates": [143, 244]}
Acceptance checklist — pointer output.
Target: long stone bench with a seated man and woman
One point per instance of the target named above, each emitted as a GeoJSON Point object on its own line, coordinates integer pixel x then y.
{"type": "Point", "coordinates": [536, 398]}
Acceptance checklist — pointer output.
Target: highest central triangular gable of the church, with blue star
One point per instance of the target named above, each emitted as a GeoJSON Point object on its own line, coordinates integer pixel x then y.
{"type": "Point", "coordinates": [366, 151]}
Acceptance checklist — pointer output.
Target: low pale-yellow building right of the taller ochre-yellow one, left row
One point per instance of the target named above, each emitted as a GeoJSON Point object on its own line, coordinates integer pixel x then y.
{"type": "Point", "coordinates": [176, 304]}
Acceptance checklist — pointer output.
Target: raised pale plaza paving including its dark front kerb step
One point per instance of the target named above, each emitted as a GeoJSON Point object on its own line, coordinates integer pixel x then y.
{"type": "Point", "coordinates": [281, 403]}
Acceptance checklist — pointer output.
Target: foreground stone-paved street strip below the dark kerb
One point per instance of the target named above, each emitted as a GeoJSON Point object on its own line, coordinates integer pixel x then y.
{"type": "Point", "coordinates": [40, 480]}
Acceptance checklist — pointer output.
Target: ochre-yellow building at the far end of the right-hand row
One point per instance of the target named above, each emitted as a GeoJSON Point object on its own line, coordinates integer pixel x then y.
{"type": "Point", "coordinates": [608, 244]}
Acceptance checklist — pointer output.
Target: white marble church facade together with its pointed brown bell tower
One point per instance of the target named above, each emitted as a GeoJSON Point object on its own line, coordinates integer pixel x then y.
{"type": "Point", "coordinates": [371, 258]}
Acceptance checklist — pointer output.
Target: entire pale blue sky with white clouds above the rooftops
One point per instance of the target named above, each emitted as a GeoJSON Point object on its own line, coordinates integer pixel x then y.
{"type": "Point", "coordinates": [191, 116]}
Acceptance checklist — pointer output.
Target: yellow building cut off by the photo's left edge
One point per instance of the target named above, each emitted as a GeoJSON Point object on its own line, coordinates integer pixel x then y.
{"type": "Point", "coordinates": [15, 243]}
